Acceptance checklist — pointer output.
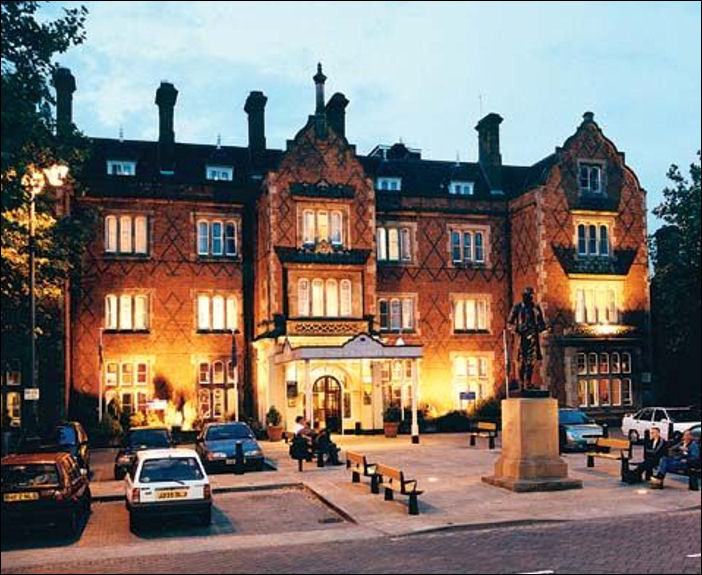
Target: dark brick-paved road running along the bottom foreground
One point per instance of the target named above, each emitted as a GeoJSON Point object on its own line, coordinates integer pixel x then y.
{"type": "Point", "coordinates": [667, 543]}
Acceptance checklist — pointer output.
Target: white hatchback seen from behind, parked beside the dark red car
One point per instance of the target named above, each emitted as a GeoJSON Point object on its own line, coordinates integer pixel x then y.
{"type": "Point", "coordinates": [167, 482]}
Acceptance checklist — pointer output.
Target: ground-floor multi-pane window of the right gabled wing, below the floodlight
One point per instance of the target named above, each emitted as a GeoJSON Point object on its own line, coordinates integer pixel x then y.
{"type": "Point", "coordinates": [605, 386]}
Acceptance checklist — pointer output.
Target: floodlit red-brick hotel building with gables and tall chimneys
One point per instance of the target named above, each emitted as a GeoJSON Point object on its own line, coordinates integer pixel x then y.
{"type": "Point", "coordinates": [328, 282]}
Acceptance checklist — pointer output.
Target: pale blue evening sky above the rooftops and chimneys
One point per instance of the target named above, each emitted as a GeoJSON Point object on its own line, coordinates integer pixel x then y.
{"type": "Point", "coordinates": [420, 72]}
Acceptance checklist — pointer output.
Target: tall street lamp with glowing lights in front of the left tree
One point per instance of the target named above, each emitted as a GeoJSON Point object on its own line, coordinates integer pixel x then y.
{"type": "Point", "coordinates": [36, 180]}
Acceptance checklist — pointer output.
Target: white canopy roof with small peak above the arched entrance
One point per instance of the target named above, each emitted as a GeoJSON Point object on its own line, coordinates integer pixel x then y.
{"type": "Point", "coordinates": [362, 346]}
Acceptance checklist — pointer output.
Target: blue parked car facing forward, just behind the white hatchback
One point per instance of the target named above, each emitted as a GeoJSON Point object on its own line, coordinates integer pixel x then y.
{"type": "Point", "coordinates": [216, 445]}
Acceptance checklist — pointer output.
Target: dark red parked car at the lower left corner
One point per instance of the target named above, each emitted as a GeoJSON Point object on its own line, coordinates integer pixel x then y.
{"type": "Point", "coordinates": [44, 488]}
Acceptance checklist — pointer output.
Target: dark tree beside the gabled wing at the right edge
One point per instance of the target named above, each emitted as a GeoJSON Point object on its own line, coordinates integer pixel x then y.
{"type": "Point", "coordinates": [675, 289]}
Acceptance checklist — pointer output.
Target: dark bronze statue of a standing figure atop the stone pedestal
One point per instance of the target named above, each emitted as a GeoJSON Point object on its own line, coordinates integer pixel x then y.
{"type": "Point", "coordinates": [527, 321]}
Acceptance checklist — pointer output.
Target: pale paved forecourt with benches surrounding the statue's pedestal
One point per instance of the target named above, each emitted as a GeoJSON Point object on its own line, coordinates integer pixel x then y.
{"type": "Point", "coordinates": [449, 472]}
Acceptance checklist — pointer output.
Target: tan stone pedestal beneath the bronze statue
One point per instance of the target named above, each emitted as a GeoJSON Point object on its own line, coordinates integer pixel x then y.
{"type": "Point", "coordinates": [530, 459]}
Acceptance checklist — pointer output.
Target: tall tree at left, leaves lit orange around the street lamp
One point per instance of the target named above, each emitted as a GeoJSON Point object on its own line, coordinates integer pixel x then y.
{"type": "Point", "coordinates": [29, 145]}
